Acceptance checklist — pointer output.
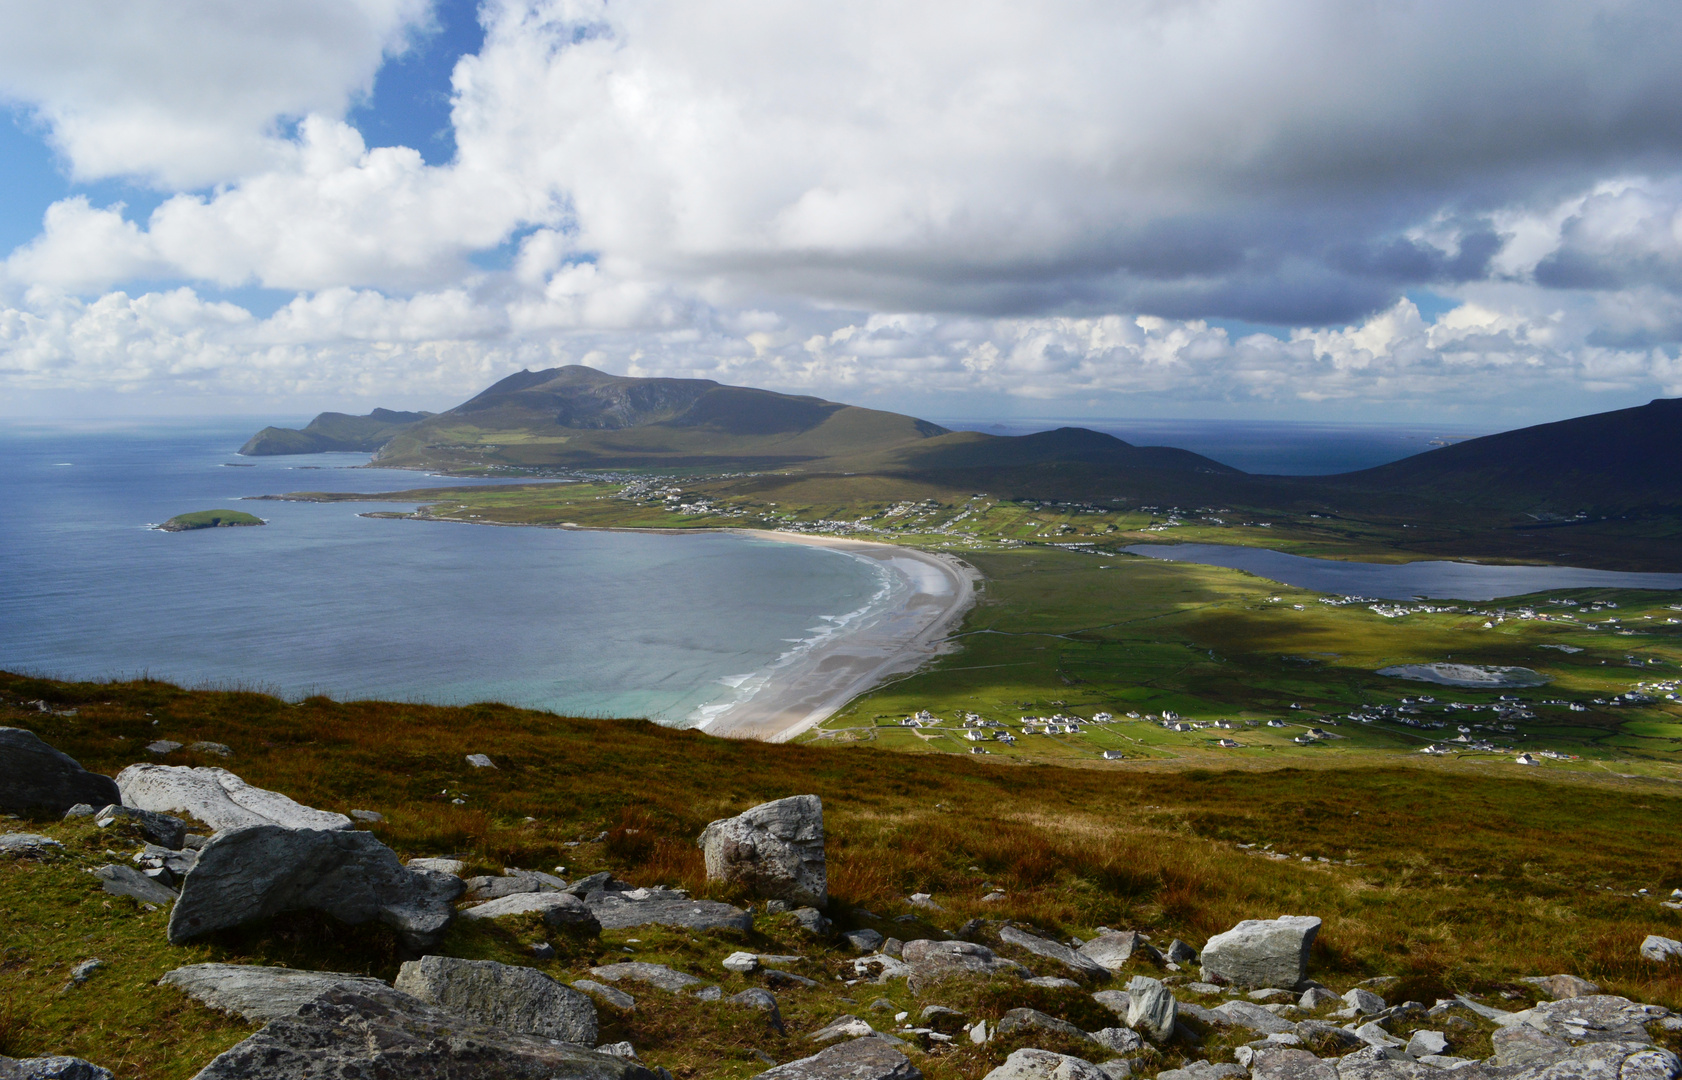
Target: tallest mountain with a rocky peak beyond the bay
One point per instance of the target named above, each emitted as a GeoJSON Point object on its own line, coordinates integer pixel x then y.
{"type": "Point", "coordinates": [578, 416]}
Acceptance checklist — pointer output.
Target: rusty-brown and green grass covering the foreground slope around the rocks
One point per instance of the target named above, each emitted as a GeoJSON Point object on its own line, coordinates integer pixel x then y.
{"type": "Point", "coordinates": [1446, 877]}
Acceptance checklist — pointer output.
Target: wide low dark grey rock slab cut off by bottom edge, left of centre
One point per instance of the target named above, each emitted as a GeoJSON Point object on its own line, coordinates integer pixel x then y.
{"type": "Point", "coordinates": [369, 1032]}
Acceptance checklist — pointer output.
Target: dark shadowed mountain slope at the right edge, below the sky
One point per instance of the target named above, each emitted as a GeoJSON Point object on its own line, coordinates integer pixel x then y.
{"type": "Point", "coordinates": [1609, 463]}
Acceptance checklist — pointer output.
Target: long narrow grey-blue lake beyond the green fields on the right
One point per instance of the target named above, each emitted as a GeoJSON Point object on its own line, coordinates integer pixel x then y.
{"type": "Point", "coordinates": [1439, 581]}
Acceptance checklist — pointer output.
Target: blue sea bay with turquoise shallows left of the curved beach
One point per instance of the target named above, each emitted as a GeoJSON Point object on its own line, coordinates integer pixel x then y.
{"type": "Point", "coordinates": [324, 601]}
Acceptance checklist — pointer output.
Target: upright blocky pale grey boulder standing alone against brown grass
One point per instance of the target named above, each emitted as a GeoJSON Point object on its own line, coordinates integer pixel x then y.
{"type": "Point", "coordinates": [776, 850]}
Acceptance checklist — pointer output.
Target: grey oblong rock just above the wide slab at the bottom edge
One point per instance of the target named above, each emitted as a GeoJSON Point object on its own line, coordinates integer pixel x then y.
{"type": "Point", "coordinates": [521, 1000]}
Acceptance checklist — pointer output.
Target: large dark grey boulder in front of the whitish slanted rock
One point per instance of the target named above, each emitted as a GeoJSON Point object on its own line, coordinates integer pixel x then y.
{"type": "Point", "coordinates": [263, 871]}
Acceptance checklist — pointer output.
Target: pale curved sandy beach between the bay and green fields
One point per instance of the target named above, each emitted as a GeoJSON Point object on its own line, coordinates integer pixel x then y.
{"type": "Point", "coordinates": [808, 687]}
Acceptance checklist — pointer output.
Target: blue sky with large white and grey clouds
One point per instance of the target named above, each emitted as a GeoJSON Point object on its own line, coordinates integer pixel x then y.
{"type": "Point", "coordinates": [1299, 209]}
